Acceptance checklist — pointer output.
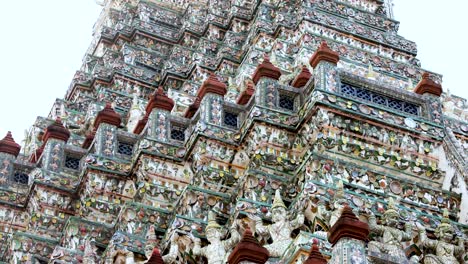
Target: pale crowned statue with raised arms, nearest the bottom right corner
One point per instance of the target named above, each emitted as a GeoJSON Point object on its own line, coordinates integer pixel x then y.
{"type": "Point", "coordinates": [446, 252]}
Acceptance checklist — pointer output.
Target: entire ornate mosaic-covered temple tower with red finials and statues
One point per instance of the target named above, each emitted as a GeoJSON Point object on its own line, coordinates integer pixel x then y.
{"type": "Point", "coordinates": [242, 131]}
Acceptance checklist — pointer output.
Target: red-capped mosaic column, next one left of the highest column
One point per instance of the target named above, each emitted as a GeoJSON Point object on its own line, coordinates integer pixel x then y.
{"type": "Point", "coordinates": [266, 93]}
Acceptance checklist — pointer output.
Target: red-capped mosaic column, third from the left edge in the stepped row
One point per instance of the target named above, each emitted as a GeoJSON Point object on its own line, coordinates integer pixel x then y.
{"type": "Point", "coordinates": [105, 125]}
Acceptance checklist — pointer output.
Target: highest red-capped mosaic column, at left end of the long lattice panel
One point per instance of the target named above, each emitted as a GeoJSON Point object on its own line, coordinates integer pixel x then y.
{"type": "Point", "coordinates": [324, 62]}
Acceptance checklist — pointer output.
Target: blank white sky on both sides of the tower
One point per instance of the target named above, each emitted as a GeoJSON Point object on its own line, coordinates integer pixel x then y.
{"type": "Point", "coordinates": [43, 42]}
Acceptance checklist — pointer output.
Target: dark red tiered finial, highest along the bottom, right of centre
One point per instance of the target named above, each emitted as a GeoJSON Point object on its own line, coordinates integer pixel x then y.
{"type": "Point", "coordinates": [348, 225]}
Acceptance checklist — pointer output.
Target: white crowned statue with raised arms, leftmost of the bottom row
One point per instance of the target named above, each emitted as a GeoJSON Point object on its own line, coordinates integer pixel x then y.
{"type": "Point", "coordinates": [218, 250]}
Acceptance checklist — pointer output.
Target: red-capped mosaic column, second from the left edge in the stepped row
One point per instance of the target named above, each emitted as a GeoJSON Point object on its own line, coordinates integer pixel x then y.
{"type": "Point", "coordinates": [55, 137]}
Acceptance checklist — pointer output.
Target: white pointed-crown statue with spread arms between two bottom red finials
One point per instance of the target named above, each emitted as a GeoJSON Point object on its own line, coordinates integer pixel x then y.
{"type": "Point", "coordinates": [281, 229]}
